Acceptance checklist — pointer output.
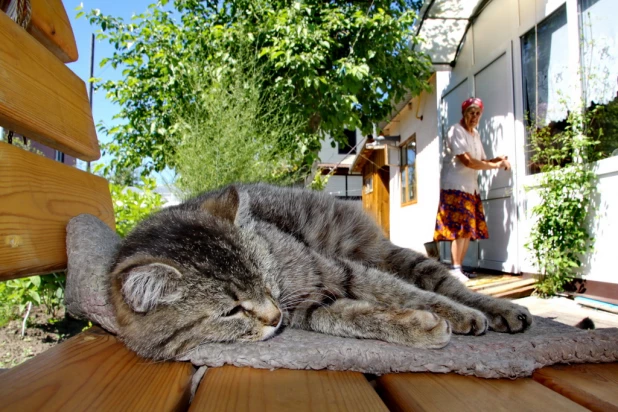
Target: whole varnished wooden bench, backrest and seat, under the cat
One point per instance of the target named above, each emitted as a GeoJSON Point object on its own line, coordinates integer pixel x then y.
{"type": "Point", "coordinates": [43, 100]}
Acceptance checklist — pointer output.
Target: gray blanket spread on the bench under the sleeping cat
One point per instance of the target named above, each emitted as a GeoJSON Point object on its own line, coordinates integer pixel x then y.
{"type": "Point", "coordinates": [91, 245]}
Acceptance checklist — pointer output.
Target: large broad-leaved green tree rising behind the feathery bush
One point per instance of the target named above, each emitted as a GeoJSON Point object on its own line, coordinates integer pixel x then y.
{"type": "Point", "coordinates": [337, 64]}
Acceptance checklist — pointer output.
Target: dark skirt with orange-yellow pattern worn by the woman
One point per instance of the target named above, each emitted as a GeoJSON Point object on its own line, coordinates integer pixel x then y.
{"type": "Point", "coordinates": [460, 215]}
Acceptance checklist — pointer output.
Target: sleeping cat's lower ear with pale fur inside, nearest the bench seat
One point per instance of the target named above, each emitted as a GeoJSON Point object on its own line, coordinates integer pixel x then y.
{"type": "Point", "coordinates": [146, 286]}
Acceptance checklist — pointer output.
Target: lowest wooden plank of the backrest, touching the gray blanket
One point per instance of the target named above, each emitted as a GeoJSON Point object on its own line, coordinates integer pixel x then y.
{"type": "Point", "coordinates": [38, 197]}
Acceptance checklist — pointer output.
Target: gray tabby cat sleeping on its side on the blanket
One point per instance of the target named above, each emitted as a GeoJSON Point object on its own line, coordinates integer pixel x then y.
{"type": "Point", "coordinates": [240, 263]}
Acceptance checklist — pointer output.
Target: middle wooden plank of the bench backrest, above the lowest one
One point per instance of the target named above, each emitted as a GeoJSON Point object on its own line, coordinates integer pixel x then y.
{"type": "Point", "coordinates": [41, 98]}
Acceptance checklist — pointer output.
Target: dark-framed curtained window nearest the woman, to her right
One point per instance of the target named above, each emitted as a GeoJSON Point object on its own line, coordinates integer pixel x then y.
{"type": "Point", "coordinates": [546, 76]}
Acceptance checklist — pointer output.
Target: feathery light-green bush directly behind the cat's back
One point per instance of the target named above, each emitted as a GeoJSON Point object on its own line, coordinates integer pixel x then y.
{"type": "Point", "coordinates": [235, 132]}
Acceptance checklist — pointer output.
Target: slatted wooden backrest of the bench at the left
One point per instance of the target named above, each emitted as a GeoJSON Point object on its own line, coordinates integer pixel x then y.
{"type": "Point", "coordinates": [42, 99]}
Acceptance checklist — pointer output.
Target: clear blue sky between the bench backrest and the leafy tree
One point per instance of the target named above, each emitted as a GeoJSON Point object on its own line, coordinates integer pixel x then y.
{"type": "Point", "coordinates": [102, 109]}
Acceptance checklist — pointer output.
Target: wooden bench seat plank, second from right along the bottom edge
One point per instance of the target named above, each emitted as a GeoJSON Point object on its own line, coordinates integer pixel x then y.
{"type": "Point", "coordinates": [451, 392]}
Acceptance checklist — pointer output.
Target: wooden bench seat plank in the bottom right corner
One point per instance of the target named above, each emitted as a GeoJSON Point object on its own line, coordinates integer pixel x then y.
{"type": "Point", "coordinates": [594, 386]}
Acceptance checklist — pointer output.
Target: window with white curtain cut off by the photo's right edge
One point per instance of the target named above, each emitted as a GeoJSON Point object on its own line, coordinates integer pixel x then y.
{"type": "Point", "coordinates": [599, 60]}
